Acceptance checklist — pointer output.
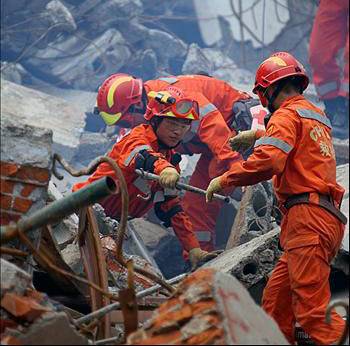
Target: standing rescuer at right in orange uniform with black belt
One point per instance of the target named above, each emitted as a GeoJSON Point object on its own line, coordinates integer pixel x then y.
{"type": "Point", "coordinates": [296, 151]}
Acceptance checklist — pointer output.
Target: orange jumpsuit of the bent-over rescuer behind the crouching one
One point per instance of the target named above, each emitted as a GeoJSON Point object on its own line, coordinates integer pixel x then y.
{"type": "Point", "coordinates": [209, 138]}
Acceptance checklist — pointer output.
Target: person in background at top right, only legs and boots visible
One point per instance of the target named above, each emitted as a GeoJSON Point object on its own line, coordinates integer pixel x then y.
{"type": "Point", "coordinates": [330, 34]}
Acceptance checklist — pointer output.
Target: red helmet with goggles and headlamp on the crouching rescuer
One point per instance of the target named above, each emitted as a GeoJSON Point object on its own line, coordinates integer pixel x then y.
{"type": "Point", "coordinates": [171, 104]}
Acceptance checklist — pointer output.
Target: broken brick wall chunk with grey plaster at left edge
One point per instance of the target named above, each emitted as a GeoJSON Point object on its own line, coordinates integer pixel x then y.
{"type": "Point", "coordinates": [25, 173]}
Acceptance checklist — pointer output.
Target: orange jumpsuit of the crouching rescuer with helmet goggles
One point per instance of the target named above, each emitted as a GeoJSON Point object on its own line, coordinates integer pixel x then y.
{"type": "Point", "coordinates": [125, 153]}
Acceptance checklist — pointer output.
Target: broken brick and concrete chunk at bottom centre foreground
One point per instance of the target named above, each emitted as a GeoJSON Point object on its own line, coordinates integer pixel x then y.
{"type": "Point", "coordinates": [209, 308]}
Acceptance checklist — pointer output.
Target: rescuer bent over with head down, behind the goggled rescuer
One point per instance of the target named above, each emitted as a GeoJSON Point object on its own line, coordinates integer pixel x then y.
{"type": "Point", "coordinates": [223, 111]}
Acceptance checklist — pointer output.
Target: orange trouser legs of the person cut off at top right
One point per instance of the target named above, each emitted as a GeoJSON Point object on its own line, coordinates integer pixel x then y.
{"type": "Point", "coordinates": [330, 33]}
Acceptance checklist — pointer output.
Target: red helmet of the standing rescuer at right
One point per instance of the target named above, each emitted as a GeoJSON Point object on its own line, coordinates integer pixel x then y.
{"type": "Point", "coordinates": [278, 66]}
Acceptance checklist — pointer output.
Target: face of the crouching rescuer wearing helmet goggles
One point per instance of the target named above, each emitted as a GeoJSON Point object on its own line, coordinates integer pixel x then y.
{"type": "Point", "coordinates": [172, 131]}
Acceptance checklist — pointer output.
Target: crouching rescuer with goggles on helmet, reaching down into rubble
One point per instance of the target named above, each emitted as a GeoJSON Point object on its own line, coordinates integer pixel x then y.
{"type": "Point", "coordinates": [150, 147]}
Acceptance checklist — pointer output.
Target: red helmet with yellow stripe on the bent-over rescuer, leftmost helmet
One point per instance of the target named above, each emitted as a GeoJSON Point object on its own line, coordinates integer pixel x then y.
{"type": "Point", "coordinates": [116, 94]}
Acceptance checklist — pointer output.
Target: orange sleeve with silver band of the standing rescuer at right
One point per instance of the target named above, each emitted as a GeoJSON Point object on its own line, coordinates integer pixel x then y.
{"type": "Point", "coordinates": [270, 153]}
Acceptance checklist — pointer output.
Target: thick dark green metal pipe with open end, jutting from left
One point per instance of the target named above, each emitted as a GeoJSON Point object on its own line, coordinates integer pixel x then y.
{"type": "Point", "coordinates": [60, 209]}
